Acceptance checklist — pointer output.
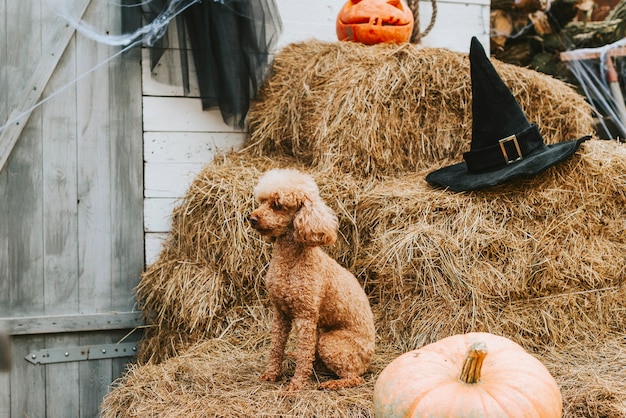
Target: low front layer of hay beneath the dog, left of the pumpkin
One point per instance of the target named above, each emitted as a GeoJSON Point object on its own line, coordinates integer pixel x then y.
{"type": "Point", "coordinates": [219, 379]}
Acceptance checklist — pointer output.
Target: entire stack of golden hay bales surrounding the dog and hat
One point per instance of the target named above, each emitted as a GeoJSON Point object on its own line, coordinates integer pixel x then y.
{"type": "Point", "coordinates": [541, 260]}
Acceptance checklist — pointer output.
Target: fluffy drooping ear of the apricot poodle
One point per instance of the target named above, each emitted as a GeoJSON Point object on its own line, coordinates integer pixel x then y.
{"type": "Point", "coordinates": [315, 224]}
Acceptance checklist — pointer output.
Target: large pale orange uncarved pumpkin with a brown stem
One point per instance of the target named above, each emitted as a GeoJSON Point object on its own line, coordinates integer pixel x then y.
{"type": "Point", "coordinates": [455, 377]}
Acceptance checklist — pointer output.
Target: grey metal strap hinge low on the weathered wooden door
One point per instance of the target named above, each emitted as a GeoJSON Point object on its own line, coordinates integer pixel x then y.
{"type": "Point", "coordinates": [91, 352]}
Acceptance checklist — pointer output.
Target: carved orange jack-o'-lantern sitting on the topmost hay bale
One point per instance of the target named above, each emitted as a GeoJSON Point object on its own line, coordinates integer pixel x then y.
{"type": "Point", "coordinates": [375, 21]}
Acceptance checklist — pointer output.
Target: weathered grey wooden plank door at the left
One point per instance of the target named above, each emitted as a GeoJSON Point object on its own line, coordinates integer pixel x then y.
{"type": "Point", "coordinates": [71, 192]}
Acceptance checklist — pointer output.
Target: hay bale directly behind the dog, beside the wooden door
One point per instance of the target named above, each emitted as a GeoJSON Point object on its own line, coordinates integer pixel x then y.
{"type": "Point", "coordinates": [211, 267]}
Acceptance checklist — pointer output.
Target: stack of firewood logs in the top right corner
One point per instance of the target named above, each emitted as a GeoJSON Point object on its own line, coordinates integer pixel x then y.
{"type": "Point", "coordinates": [532, 33]}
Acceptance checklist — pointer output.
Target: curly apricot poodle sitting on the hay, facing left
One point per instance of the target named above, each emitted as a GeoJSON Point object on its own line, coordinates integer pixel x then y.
{"type": "Point", "coordinates": [310, 291]}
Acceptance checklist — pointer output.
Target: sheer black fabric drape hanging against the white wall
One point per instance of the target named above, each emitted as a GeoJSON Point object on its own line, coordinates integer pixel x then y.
{"type": "Point", "coordinates": [231, 44]}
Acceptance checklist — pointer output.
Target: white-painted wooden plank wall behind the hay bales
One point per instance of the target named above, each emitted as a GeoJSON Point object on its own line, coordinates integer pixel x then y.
{"type": "Point", "coordinates": [180, 138]}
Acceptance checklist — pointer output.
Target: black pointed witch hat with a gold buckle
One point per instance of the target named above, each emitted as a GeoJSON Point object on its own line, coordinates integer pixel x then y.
{"type": "Point", "coordinates": [505, 145]}
